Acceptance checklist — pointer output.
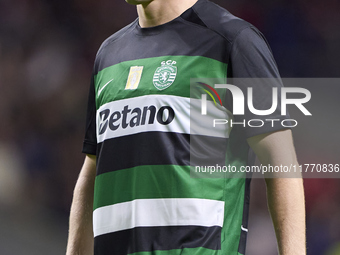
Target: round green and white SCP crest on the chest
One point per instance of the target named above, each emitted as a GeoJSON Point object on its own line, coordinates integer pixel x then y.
{"type": "Point", "coordinates": [165, 75]}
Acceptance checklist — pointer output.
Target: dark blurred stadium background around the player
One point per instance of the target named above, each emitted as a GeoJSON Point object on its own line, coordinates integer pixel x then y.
{"type": "Point", "coordinates": [47, 49]}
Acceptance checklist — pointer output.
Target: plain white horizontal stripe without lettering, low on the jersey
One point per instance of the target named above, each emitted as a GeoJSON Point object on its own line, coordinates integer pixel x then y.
{"type": "Point", "coordinates": [158, 212]}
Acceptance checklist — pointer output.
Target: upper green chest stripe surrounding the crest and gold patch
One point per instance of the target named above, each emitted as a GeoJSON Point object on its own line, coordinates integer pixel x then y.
{"type": "Point", "coordinates": [187, 67]}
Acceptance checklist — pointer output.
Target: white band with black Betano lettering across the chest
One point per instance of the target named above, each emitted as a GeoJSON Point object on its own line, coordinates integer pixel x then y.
{"type": "Point", "coordinates": [163, 113]}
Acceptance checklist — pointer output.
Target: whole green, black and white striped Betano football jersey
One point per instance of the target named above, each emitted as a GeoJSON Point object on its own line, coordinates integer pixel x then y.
{"type": "Point", "coordinates": [138, 126]}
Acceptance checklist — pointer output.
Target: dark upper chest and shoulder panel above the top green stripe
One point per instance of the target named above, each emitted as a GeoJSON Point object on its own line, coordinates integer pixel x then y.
{"type": "Point", "coordinates": [205, 30]}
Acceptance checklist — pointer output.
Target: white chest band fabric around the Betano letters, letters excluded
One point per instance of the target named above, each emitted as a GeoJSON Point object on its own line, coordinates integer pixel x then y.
{"type": "Point", "coordinates": [182, 123]}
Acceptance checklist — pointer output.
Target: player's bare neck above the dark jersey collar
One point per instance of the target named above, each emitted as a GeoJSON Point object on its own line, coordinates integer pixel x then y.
{"type": "Point", "coordinates": [159, 12]}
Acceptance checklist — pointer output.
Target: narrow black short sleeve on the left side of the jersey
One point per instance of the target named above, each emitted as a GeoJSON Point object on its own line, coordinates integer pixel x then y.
{"type": "Point", "coordinates": [90, 140]}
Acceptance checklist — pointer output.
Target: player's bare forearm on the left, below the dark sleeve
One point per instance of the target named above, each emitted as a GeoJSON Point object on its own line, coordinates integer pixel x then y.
{"type": "Point", "coordinates": [80, 239]}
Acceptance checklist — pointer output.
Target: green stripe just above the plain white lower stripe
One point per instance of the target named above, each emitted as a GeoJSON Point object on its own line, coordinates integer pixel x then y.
{"type": "Point", "coordinates": [161, 181]}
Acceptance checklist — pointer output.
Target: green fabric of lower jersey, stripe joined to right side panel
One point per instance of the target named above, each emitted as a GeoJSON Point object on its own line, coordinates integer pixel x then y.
{"type": "Point", "coordinates": [169, 181]}
